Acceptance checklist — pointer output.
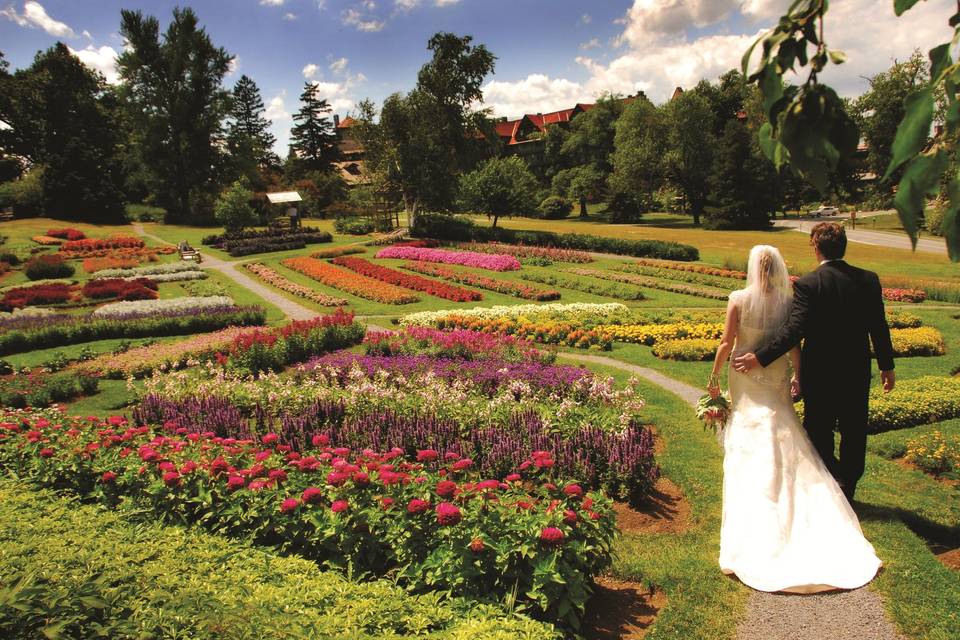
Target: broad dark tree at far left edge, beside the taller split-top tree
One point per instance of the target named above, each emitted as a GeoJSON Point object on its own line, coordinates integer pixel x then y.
{"type": "Point", "coordinates": [63, 117]}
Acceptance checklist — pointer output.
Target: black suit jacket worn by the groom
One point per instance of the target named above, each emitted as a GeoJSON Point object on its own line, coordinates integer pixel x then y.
{"type": "Point", "coordinates": [838, 311]}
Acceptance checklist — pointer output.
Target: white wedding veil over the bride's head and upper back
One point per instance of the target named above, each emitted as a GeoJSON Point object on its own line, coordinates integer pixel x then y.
{"type": "Point", "coordinates": [766, 300]}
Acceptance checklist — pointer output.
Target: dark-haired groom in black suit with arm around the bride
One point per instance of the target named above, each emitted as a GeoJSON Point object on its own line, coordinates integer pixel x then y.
{"type": "Point", "coordinates": [838, 311]}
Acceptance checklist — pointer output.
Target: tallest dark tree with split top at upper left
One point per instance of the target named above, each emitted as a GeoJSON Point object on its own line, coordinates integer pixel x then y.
{"type": "Point", "coordinates": [173, 89]}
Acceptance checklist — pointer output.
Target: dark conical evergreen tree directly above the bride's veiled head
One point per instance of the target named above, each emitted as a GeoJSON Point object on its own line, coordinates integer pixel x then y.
{"type": "Point", "coordinates": [737, 198]}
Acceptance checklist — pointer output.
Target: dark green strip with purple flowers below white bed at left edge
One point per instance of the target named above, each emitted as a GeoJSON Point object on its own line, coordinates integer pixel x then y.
{"type": "Point", "coordinates": [20, 334]}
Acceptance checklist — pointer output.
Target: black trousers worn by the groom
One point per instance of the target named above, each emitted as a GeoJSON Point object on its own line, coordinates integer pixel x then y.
{"type": "Point", "coordinates": [843, 408]}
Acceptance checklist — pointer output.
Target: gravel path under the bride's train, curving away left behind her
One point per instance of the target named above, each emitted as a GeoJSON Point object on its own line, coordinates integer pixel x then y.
{"type": "Point", "coordinates": [847, 615]}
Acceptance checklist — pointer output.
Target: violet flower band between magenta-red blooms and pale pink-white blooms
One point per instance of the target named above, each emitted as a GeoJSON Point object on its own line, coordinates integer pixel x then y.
{"type": "Point", "coordinates": [488, 374]}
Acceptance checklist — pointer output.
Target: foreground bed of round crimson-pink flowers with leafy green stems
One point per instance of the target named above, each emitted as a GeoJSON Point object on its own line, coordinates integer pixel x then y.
{"type": "Point", "coordinates": [430, 523]}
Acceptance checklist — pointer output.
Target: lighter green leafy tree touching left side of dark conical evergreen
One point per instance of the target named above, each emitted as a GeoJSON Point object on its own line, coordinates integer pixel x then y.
{"type": "Point", "coordinates": [690, 147]}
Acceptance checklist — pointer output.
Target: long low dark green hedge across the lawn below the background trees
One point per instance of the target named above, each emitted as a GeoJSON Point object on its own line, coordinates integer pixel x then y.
{"type": "Point", "coordinates": [460, 229]}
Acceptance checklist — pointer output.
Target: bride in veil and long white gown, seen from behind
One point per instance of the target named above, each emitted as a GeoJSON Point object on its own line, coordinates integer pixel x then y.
{"type": "Point", "coordinates": [786, 523]}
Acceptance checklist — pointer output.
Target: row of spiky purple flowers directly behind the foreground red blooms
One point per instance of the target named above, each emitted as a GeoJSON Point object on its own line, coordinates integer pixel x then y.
{"type": "Point", "coordinates": [620, 463]}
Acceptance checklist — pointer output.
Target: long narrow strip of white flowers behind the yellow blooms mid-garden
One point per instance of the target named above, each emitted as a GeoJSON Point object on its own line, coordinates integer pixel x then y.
{"type": "Point", "coordinates": [596, 312]}
